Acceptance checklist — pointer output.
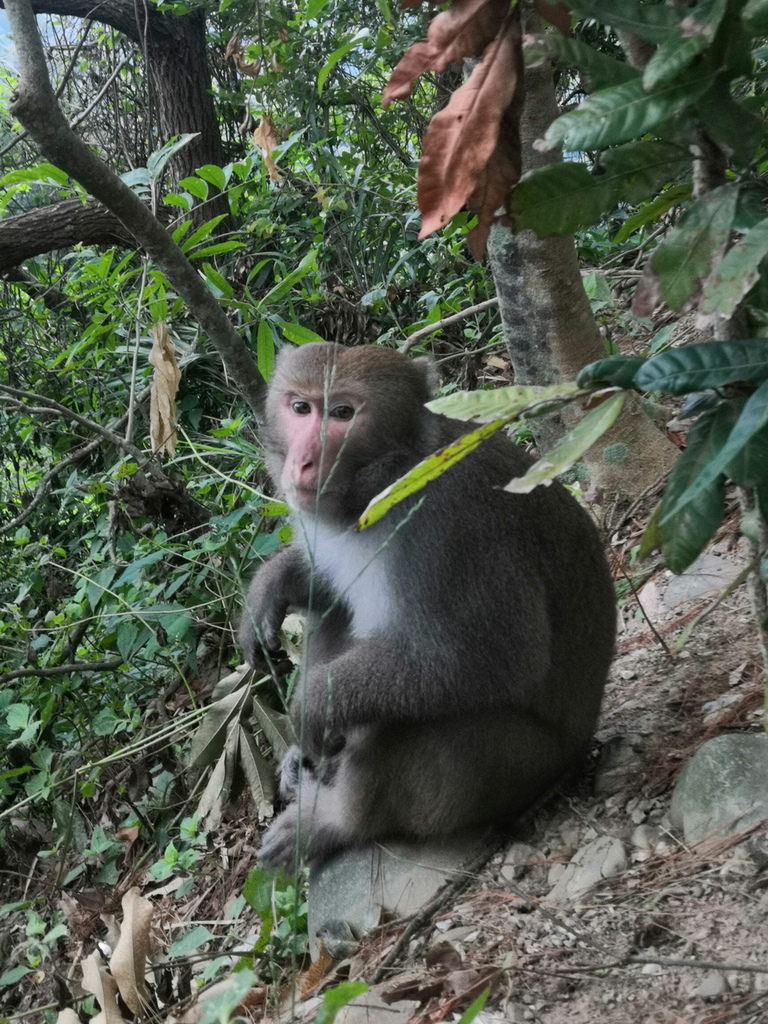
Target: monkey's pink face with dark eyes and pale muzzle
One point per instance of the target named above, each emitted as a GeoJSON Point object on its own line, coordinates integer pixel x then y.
{"type": "Point", "coordinates": [315, 440]}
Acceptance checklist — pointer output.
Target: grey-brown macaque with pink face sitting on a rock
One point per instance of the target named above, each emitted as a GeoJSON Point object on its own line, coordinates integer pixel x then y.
{"type": "Point", "coordinates": [456, 652]}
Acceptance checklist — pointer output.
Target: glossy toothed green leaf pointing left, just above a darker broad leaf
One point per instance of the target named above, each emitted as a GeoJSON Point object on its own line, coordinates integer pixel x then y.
{"type": "Point", "coordinates": [623, 113]}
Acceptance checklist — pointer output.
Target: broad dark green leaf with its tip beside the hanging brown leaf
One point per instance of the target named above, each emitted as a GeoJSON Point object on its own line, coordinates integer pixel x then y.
{"type": "Point", "coordinates": [561, 198]}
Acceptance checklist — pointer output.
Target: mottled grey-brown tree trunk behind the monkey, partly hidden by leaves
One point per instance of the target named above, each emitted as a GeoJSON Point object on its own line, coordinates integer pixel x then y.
{"type": "Point", "coordinates": [549, 327]}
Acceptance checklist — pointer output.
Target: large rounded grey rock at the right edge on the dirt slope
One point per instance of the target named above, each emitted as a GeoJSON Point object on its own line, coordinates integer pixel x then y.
{"type": "Point", "coordinates": [723, 789]}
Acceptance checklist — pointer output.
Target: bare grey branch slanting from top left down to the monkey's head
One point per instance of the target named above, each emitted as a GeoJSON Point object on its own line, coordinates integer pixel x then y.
{"type": "Point", "coordinates": [35, 106]}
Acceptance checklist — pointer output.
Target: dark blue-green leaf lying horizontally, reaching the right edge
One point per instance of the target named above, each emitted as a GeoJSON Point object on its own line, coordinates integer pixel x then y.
{"type": "Point", "coordinates": [696, 368]}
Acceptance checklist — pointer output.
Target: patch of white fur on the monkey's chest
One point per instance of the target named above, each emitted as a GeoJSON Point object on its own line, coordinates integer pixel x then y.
{"type": "Point", "coordinates": [357, 570]}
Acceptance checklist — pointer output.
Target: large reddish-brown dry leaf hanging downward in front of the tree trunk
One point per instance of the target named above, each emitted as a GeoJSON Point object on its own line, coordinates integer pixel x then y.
{"type": "Point", "coordinates": [472, 150]}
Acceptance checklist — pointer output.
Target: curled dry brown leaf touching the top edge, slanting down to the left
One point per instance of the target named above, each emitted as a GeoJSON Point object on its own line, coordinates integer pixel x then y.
{"type": "Point", "coordinates": [462, 31]}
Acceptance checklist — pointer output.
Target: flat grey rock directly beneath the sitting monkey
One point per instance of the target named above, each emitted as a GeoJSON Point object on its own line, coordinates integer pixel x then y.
{"type": "Point", "coordinates": [401, 879]}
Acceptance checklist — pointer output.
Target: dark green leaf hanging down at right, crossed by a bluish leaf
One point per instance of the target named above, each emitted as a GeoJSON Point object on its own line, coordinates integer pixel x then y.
{"type": "Point", "coordinates": [686, 533]}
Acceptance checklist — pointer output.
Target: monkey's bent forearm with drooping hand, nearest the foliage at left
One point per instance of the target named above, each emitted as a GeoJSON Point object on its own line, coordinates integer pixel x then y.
{"type": "Point", "coordinates": [281, 584]}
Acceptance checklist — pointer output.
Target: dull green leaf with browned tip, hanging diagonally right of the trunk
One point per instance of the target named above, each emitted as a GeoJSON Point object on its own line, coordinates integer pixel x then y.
{"type": "Point", "coordinates": [685, 259]}
